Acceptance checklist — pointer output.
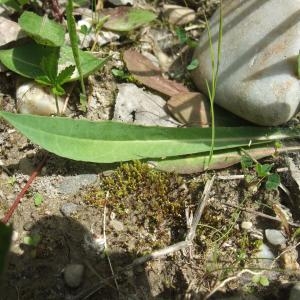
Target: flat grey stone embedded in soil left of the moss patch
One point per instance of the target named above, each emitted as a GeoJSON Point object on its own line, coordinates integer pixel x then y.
{"type": "Point", "coordinates": [72, 184]}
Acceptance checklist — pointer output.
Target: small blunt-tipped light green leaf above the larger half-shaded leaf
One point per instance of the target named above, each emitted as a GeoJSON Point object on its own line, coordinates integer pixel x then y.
{"type": "Point", "coordinates": [42, 30]}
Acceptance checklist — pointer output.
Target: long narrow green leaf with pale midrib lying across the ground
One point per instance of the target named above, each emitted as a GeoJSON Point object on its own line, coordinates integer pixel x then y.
{"type": "Point", "coordinates": [107, 141]}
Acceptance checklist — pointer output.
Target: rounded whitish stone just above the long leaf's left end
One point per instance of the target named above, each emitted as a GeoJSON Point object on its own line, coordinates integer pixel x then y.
{"type": "Point", "coordinates": [37, 100]}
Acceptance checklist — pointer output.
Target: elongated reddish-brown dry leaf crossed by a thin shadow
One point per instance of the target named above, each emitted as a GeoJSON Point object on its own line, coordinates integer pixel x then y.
{"type": "Point", "coordinates": [150, 75]}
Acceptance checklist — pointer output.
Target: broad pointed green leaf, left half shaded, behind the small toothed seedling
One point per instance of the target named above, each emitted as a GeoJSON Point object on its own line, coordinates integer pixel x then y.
{"type": "Point", "coordinates": [26, 60]}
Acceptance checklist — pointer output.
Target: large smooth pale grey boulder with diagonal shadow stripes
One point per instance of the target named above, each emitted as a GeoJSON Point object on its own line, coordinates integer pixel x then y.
{"type": "Point", "coordinates": [257, 76]}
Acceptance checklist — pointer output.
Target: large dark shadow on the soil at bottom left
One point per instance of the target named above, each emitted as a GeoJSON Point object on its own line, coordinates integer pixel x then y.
{"type": "Point", "coordinates": [38, 272]}
